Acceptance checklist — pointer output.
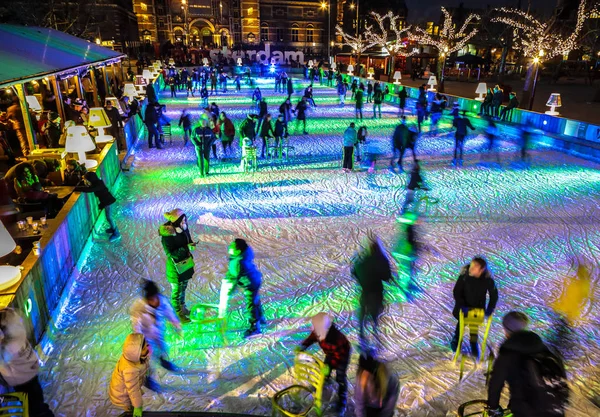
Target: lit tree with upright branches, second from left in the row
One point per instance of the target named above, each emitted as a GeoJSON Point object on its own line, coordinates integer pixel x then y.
{"type": "Point", "coordinates": [381, 37]}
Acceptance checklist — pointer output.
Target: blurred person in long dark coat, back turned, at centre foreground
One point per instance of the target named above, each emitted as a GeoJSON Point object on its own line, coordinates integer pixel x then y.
{"type": "Point", "coordinates": [371, 269]}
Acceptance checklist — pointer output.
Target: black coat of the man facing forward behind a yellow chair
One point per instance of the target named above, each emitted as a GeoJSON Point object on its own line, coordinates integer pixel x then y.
{"type": "Point", "coordinates": [470, 292]}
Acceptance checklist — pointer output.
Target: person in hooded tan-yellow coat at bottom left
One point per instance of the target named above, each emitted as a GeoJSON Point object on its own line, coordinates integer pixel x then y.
{"type": "Point", "coordinates": [129, 376]}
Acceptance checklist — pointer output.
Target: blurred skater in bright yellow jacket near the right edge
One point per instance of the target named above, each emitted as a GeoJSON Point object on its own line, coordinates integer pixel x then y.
{"type": "Point", "coordinates": [568, 309]}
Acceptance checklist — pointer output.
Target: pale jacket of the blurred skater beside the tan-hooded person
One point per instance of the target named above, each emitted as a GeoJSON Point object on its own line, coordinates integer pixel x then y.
{"type": "Point", "coordinates": [150, 321]}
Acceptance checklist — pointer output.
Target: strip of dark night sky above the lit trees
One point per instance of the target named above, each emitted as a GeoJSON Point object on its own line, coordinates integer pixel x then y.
{"type": "Point", "coordinates": [429, 9]}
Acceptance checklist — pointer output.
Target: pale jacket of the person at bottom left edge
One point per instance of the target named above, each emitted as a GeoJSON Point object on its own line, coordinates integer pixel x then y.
{"type": "Point", "coordinates": [18, 361]}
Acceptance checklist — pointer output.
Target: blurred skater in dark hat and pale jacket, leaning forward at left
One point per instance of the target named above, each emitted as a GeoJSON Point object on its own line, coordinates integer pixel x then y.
{"type": "Point", "coordinates": [149, 315]}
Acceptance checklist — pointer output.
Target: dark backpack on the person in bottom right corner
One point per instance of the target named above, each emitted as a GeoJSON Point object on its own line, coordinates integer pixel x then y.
{"type": "Point", "coordinates": [549, 381]}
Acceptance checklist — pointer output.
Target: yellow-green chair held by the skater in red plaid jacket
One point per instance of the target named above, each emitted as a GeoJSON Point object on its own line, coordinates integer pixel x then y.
{"type": "Point", "coordinates": [310, 372]}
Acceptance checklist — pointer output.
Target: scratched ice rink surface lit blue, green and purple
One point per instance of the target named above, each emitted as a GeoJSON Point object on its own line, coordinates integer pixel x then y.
{"type": "Point", "coordinates": [305, 219]}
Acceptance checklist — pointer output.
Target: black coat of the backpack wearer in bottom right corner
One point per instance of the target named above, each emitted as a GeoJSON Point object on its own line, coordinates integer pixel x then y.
{"type": "Point", "coordinates": [510, 367]}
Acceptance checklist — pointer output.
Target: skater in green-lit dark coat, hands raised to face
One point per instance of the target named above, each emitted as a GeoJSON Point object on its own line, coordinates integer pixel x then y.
{"type": "Point", "coordinates": [178, 246]}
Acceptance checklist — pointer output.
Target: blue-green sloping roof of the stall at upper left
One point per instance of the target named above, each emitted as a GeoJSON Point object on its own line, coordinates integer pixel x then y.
{"type": "Point", "coordinates": [29, 53]}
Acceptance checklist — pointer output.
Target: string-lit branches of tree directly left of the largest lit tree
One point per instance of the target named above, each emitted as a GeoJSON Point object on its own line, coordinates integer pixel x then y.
{"type": "Point", "coordinates": [448, 41]}
